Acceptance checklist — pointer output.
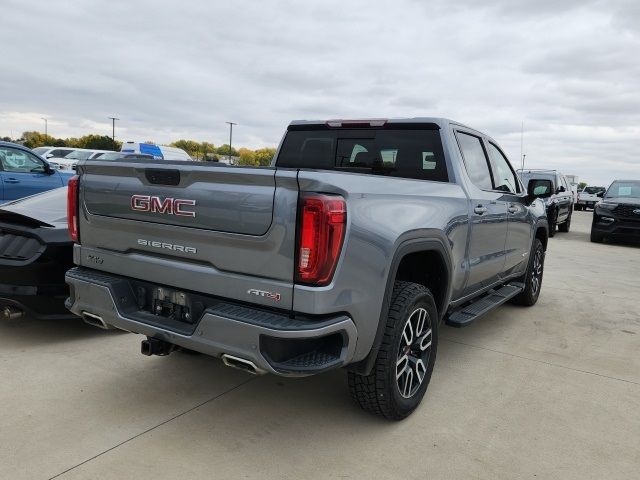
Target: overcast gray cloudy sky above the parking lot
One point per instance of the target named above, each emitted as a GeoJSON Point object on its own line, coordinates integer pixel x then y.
{"type": "Point", "coordinates": [569, 69]}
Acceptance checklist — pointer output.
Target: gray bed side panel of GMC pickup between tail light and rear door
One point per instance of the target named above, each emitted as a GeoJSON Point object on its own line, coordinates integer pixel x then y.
{"type": "Point", "coordinates": [382, 212]}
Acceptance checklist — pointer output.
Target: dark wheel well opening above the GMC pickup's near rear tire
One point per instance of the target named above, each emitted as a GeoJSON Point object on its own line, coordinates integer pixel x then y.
{"type": "Point", "coordinates": [427, 268]}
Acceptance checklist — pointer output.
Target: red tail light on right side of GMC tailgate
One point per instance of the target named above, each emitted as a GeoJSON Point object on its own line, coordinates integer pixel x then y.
{"type": "Point", "coordinates": [322, 225]}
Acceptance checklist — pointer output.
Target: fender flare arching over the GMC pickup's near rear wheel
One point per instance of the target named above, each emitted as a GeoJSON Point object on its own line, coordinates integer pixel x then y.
{"type": "Point", "coordinates": [417, 241]}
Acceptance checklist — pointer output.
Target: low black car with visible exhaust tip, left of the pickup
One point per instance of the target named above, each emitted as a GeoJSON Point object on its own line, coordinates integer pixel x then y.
{"type": "Point", "coordinates": [35, 253]}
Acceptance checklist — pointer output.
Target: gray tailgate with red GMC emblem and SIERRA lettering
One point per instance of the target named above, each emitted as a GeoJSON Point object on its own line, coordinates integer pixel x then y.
{"type": "Point", "coordinates": [224, 231]}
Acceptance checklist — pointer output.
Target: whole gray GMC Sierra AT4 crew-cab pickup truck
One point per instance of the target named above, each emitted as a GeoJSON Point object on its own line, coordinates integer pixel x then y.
{"type": "Point", "coordinates": [348, 251]}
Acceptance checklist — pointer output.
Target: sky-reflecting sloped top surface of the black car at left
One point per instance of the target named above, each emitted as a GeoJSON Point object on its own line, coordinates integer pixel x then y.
{"type": "Point", "coordinates": [48, 209]}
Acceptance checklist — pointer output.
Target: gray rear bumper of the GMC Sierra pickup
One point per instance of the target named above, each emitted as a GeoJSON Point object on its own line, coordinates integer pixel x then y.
{"type": "Point", "coordinates": [274, 342]}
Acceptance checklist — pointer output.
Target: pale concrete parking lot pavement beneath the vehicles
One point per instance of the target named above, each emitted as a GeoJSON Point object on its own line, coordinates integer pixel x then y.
{"type": "Point", "coordinates": [551, 391]}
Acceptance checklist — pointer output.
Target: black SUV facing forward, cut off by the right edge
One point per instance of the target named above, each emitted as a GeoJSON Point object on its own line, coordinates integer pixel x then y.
{"type": "Point", "coordinates": [617, 215]}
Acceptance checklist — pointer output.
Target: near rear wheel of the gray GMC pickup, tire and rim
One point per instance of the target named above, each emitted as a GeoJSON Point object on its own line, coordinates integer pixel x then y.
{"type": "Point", "coordinates": [406, 357]}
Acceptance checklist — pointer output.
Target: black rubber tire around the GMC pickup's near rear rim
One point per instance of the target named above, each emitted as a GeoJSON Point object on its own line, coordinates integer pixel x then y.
{"type": "Point", "coordinates": [379, 392]}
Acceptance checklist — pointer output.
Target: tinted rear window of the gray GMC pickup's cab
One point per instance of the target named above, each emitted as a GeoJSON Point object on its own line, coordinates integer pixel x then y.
{"type": "Point", "coordinates": [402, 153]}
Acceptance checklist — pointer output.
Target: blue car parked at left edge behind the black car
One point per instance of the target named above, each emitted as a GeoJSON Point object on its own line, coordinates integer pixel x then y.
{"type": "Point", "coordinates": [23, 173]}
